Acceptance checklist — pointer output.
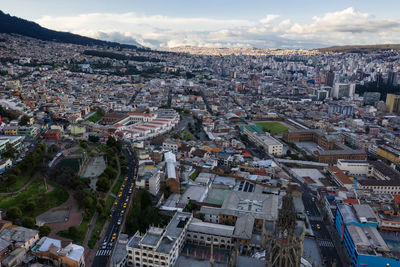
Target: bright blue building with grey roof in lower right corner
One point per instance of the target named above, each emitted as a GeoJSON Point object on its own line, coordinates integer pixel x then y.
{"type": "Point", "coordinates": [357, 229]}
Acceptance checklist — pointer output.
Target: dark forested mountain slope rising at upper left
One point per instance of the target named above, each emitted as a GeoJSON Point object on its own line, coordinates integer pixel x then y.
{"type": "Point", "coordinates": [11, 24]}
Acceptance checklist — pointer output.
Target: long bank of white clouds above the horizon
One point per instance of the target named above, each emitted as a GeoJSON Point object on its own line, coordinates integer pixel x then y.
{"type": "Point", "coordinates": [347, 26]}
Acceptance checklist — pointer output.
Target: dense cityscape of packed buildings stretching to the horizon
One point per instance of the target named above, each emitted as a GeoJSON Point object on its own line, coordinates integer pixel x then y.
{"type": "Point", "coordinates": [198, 156]}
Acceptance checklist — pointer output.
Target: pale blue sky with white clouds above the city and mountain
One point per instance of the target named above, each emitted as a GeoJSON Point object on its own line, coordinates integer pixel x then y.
{"type": "Point", "coordinates": [161, 24]}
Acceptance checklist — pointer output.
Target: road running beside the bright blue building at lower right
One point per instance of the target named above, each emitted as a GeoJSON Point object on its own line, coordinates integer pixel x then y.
{"type": "Point", "coordinates": [323, 239]}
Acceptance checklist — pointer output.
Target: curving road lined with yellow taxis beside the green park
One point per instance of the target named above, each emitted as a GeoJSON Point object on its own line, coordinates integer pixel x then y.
{"type": "Point", "coordinates": [105, 250]}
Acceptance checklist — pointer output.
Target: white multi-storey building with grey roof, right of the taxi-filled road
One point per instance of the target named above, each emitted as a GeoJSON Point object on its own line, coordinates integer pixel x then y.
{"type": "Point", "coordinates": [159, 246]}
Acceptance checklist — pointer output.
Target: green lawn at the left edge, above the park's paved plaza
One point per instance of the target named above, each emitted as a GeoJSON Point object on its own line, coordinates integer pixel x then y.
{"type": "Point", "coordinates": [36, 193]}
